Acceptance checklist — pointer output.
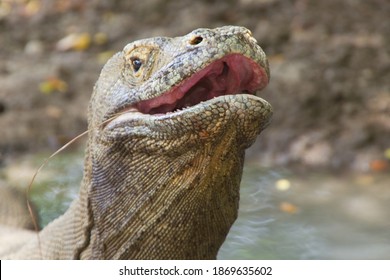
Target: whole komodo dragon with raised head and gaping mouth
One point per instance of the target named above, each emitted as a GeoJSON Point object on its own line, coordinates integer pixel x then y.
{"type": "Point", "coordinates": [169, 122]}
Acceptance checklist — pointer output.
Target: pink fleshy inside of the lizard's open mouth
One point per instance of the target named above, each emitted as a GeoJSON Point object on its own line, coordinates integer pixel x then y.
{"type": "Point", "coordinates": [232, 74]}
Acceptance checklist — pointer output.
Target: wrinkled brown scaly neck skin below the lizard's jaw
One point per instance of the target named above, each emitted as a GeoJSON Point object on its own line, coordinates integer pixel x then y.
{"type": "Point", "coordinates": [158, 202]}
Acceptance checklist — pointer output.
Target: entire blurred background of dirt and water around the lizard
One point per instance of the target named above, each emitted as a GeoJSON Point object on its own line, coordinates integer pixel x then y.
{"type": "Point", "coordinates": [316, 184]}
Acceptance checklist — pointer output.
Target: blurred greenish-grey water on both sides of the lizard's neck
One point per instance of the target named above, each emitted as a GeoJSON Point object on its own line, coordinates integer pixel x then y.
{"type": "Point", "coordinates": [304, 216]}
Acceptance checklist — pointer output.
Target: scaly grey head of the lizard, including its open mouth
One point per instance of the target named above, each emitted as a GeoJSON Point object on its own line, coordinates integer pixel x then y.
{"type": "Point", "coordinates": [162, 80]}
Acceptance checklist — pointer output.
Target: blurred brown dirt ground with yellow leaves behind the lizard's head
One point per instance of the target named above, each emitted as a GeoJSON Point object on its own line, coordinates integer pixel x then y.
{"type": "Point", "coordinates": [330, 71]}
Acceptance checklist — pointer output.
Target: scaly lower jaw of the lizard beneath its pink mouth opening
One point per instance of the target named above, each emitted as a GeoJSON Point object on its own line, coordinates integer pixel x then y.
{"type": "Point", "coordinates": [245, 111]}
